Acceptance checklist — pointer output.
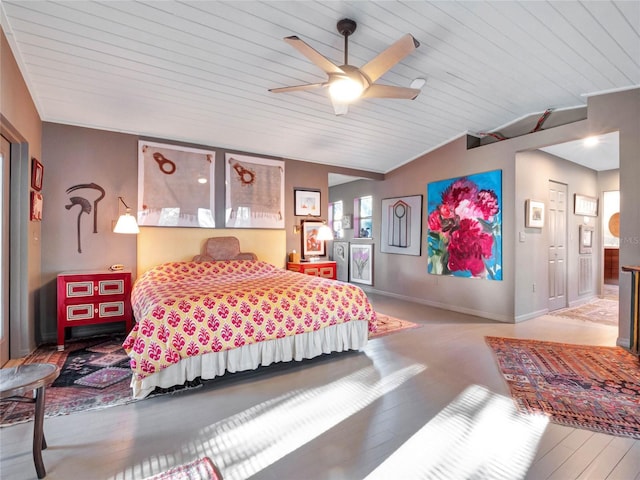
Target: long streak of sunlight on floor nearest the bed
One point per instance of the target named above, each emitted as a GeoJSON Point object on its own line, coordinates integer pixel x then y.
{"type": "Point", "coordinates": [244, 444]}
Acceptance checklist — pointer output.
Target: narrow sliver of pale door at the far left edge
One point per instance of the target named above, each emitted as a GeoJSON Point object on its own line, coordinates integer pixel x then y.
{"type": "Point", "coordinates": [4, 242]}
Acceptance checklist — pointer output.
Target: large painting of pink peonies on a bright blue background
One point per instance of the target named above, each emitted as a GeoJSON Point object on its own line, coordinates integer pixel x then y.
{"type": "Point", "coordinates": [465, 226]}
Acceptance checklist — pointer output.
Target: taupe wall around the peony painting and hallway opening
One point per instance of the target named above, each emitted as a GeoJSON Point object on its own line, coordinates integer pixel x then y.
{"type": "Point", "coordinates": [511, 299]}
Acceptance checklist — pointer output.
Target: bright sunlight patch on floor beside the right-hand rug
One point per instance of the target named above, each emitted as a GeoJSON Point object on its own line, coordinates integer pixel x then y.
{"type": "Point", "coordinates": [478, 435]}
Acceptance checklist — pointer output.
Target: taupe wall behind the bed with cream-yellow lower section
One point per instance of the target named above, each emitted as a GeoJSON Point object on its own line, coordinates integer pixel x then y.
{"type": "Point", "coordinates": [76, 156]}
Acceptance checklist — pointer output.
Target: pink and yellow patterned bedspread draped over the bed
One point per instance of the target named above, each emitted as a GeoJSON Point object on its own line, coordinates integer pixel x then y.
{"type": "Point", "coordinates": [184, 309]}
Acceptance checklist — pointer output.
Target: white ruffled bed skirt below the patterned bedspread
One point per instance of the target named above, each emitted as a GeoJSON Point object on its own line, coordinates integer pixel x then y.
{"type": "Point", "coordinates": [334, 338]}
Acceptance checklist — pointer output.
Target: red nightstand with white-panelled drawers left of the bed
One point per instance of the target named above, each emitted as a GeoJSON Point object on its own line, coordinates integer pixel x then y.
{"type": "Point", "coordinates": [92, 297]}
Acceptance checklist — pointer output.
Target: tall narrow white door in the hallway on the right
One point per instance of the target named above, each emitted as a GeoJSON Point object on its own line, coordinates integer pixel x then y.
{"type": "Point", "coordinates": [557, 264]}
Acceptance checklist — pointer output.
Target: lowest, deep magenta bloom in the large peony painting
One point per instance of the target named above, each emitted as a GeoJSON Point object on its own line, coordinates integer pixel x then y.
{"type": "Point", "coordinates": [469, 246]}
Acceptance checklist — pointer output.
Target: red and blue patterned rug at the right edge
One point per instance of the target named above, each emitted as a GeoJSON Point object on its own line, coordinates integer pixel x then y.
{"type": "Point", "coordinates": [594, 388]}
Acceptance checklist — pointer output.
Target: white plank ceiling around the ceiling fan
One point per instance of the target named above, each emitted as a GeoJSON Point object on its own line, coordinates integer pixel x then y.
{"type": "Point", "coordinates": [199, 71]}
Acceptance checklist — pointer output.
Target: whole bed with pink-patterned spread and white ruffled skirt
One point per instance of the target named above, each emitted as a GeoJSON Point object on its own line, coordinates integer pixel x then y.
{"type": "Point", "coordinates": [202, 319]}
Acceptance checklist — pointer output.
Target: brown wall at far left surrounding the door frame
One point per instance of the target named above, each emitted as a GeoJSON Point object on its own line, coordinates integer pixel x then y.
{"type": "Point", "coordinates": [20, 124]}
